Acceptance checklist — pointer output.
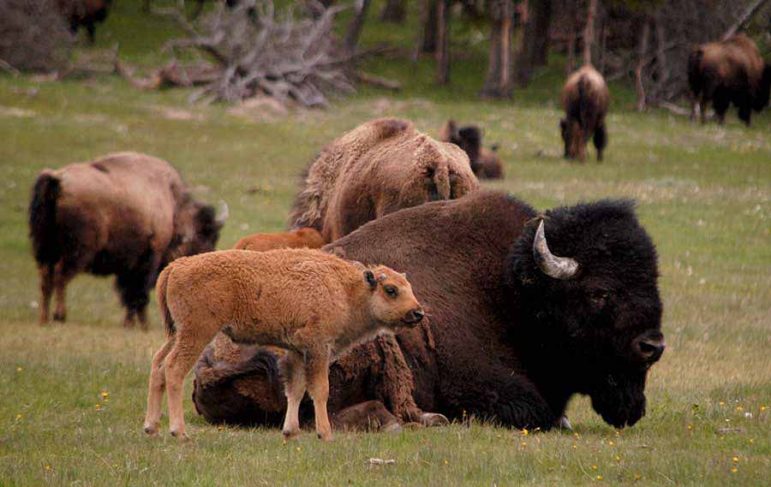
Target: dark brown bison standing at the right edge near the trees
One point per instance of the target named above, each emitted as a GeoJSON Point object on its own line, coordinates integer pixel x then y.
{"type": "Point", "coordinates": [729, 71]}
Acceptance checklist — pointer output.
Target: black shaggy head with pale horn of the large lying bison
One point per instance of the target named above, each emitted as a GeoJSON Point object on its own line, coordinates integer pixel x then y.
{"type": "Point", "coordinates": [588, 305]}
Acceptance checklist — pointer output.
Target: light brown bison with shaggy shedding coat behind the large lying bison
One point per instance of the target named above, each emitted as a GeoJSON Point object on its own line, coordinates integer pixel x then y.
{"type": "Point", "coordinates": [377, 168]}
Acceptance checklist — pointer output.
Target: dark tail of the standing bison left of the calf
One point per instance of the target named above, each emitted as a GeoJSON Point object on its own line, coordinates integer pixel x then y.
{"type": "Point", "coordinates": [42, 218]}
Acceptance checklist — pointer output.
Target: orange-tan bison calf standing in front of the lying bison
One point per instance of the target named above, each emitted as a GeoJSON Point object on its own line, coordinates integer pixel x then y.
{"type": "Point", "coordinates": [311, 303]}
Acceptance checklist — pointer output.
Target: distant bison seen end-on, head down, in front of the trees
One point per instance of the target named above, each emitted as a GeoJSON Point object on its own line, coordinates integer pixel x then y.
{"type": "Point", "coordinates": [585, 99]}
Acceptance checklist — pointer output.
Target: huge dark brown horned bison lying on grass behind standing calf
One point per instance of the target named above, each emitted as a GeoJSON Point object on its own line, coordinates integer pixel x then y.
{"type": "Point", "coordinates": [513, 330]}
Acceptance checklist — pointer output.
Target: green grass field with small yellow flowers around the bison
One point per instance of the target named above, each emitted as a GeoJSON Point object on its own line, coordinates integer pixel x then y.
{"type": "Point", "coordinates": [73, 395]}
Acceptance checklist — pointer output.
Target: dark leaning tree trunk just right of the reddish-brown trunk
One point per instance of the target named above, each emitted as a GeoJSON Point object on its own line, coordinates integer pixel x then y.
{"type": "Point", "coordinates": [535, 41]}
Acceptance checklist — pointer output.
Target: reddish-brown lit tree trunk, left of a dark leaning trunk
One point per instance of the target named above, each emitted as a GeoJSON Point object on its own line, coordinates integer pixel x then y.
{"type": "Point", "coordinates": [498, 83]}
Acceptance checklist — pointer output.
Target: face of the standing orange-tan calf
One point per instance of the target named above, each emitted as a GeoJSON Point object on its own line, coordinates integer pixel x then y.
{"type": "Point", "coordinates": [392, 301]}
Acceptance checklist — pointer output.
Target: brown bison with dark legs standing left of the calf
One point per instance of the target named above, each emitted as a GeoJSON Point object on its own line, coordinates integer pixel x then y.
{"type": "Point", "coordinates": [126, 214]}
